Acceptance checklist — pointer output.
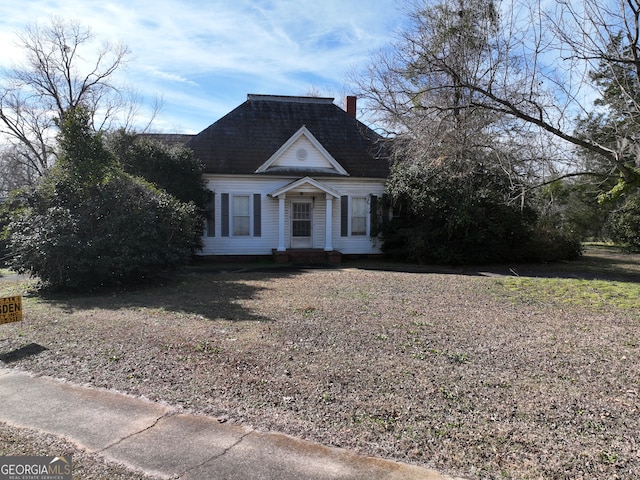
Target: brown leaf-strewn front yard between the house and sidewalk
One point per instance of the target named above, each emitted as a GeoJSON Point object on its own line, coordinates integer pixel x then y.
{"type": "Point", "coordinates": [446, 369]}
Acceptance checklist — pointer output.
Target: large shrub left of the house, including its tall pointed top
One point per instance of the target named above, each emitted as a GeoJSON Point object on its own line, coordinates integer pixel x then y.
{"type": "Point", "coordinates": [89, 224]}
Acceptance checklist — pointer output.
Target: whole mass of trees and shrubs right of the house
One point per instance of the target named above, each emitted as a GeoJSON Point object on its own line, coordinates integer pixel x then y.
{"type": "Point", "coordinates": [515, 126]}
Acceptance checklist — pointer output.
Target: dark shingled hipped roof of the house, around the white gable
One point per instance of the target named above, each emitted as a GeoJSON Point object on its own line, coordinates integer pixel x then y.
{"type": "Point", "coordinates": [241, 141]}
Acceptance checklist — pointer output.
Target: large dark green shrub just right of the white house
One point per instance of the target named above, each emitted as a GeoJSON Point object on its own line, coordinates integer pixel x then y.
{"type": "Point", "coordinates": [449, 213]}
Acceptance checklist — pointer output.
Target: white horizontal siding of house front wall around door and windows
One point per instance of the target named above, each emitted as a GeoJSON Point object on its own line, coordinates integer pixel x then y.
{"type": "Point", "coordinates": [263, 245]}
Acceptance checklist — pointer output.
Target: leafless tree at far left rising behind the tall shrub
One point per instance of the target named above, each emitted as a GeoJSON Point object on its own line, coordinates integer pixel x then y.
{"type": "Point", "coordinates": [61, 70]}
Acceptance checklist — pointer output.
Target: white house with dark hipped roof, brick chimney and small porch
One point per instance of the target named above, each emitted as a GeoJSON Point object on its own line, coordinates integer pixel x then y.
{"type": "Point", "coordinates": [292, 175]}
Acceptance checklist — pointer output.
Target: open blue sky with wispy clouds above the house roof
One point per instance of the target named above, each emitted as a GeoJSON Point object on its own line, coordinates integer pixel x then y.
{"type": "Point", "coordinates": [202, 57]}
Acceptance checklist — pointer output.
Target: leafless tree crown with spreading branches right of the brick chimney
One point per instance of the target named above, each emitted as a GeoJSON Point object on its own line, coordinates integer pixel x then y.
{"type": "Point", "coordinates": [532, 73]}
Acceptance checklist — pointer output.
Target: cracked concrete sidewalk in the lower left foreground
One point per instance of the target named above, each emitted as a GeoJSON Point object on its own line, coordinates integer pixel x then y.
{"type": "Point", "coordinates": [159, 440]}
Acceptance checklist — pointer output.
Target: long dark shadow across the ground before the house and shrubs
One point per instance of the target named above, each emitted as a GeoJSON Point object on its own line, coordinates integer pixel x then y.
{"type": "Point", "coordinates": [217, 291]}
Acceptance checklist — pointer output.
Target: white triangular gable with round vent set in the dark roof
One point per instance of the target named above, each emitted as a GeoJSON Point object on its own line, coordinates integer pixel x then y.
{"type": "Point", "coordinates": [302, 153]}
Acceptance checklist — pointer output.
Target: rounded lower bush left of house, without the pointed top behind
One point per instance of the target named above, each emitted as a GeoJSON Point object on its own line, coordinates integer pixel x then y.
{"type": "Point", "coordinates": [123, 232]}
